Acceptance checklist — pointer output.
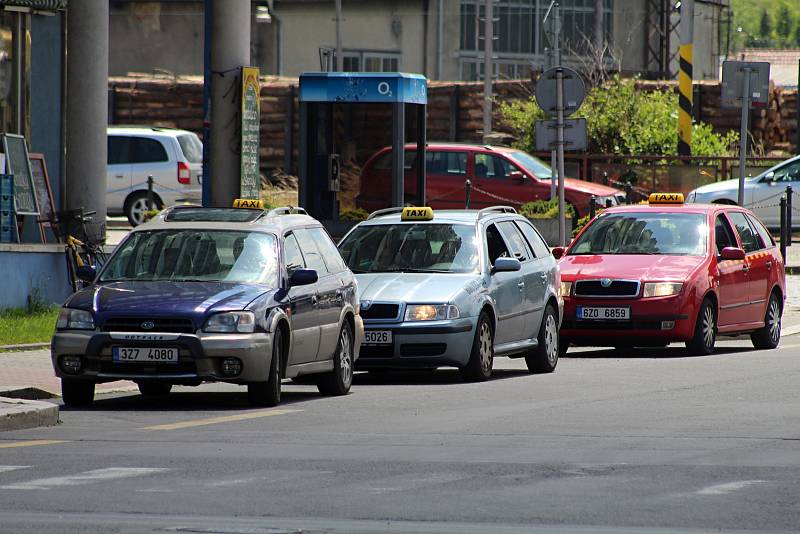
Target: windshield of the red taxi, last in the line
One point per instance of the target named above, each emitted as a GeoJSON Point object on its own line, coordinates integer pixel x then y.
{"type": "Point", "coordinates": [644, 233]}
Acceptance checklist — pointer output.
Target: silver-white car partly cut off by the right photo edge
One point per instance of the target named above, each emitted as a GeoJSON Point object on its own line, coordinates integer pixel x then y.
{"type": "Point", "coordinates": [761, 193]}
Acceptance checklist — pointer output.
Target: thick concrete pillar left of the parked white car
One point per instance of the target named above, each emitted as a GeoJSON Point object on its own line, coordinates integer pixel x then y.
{"type": "Point", "coordinates": [87, 108]}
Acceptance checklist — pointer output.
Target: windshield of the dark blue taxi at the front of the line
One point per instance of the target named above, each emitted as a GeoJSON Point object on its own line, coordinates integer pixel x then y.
{"type": "Point", "coordinates": [195, 255]}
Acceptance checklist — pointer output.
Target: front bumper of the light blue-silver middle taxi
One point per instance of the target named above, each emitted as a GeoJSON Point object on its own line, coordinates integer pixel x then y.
{"type": "Point", "coordinates": [418, 345]}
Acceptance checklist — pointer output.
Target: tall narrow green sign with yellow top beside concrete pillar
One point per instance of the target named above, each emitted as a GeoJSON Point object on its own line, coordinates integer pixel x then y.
{"type": "Point", "coordinates": [250, 177]}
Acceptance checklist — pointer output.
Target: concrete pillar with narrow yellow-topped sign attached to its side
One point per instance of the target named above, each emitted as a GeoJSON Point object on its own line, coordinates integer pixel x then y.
{"type": "Point", "coordinates": [230, 49]}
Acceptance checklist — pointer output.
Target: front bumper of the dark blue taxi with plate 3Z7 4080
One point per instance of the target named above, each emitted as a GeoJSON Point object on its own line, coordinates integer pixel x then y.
{"type": "Point", "coordinates": [200, 356]}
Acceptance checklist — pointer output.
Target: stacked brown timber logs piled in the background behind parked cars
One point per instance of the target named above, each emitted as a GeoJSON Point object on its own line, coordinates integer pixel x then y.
{"type": "Point", "coordinates": [454, 114]}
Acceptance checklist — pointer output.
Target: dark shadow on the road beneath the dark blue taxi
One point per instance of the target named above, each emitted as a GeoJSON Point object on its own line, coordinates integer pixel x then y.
{"type": "Point", "coordinates": [195, 400]}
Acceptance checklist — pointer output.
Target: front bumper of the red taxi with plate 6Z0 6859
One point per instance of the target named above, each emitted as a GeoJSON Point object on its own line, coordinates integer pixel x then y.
{"type": "Point", "coordinates": [646, 324]}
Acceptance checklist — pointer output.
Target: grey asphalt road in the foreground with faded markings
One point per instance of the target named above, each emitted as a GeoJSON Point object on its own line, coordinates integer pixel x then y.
{"type": "Point", "coordinates": [652, 442]}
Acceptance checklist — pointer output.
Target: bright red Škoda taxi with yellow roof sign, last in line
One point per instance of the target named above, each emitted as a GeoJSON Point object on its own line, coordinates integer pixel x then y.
{"type": "Point", "coordinates": [648, 275]}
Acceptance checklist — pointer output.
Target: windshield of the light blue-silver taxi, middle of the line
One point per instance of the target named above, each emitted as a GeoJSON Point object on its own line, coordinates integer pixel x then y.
{"type": "Point", "coordinates": [447, 248]}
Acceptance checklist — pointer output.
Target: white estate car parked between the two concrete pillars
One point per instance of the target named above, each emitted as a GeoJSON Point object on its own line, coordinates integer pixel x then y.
{"type": "Point", "coordinates": [174, 158]}
